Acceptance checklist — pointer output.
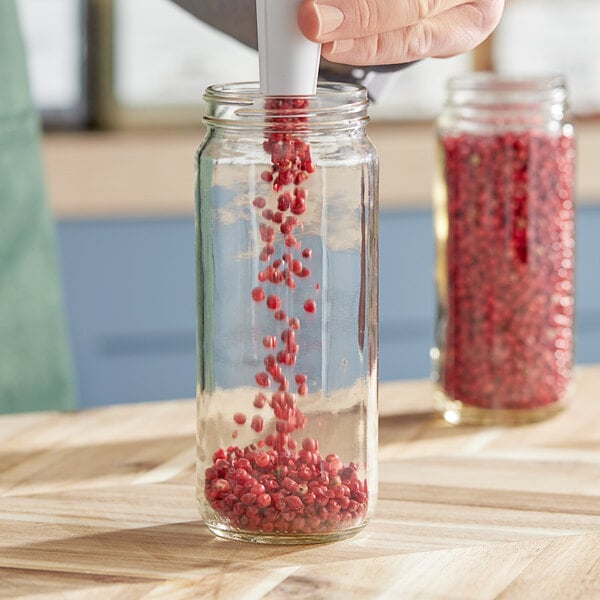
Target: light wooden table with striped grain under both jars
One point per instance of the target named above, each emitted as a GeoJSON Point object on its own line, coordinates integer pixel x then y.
{"type": "Point", "coordinates": [100, 504]}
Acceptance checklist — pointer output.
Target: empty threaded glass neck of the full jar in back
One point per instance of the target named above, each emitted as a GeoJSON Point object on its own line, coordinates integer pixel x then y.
{"type": "Point", "coordinates": [480, 99]}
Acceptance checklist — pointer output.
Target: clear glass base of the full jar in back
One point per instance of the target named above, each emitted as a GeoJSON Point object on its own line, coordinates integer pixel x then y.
{"type": "Point", "coordinates": [456, 412]}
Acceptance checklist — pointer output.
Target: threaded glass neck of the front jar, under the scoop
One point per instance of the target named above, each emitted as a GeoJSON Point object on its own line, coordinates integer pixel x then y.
{"type": "Point", "coordinates": [335, 106]}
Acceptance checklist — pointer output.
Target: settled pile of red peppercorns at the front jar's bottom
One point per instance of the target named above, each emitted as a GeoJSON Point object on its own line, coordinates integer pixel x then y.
{"type": "Point", "coordinates": [258, 489]}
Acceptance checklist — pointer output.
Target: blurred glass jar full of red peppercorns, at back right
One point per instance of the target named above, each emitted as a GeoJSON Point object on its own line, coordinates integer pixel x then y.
{"type": "Point", "coordinates": [504, 226]}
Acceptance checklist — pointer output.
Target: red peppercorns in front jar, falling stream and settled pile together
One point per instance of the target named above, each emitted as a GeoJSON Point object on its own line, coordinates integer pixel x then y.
{"type": "Point", "coordinates": [272, 485]}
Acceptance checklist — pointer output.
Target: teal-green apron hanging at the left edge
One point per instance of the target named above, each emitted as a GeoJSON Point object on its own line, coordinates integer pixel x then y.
{"type": "Point", "coordinates": [35, 367]}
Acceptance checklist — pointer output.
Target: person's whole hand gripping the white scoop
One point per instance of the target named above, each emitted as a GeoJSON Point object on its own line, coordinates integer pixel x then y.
{"type": "Point", "coordinates": [377, 32]}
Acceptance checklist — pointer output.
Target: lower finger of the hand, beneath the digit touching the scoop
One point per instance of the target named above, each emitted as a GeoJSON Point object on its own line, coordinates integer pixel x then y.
{"type": "Point", "coordinates": [456, 30]}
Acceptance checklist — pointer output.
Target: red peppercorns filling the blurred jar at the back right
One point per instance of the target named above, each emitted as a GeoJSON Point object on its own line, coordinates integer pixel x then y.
{"type": "Point", "coordinates": [507, 339]}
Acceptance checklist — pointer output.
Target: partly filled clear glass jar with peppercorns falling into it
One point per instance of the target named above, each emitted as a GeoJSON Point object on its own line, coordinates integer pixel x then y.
{"type": "Point", "coordinates": [286, 225]}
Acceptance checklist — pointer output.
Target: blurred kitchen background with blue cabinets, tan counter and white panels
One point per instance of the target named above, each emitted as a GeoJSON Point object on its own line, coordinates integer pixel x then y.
{"type": "Point", "coordinates": [119, 84]}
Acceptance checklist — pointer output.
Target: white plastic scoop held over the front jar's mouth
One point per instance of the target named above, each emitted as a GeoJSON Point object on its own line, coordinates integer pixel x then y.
{"type": "Point", "coordinates": [288, 62]}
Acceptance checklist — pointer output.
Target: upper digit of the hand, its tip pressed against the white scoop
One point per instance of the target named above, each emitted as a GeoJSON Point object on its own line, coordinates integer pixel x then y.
{"type": "Point", "coordinates": [328, 20]}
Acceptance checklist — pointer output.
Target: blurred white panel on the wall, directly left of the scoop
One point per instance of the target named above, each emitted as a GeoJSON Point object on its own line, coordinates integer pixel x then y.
{"type": "Point", "coordinates": [166, 57]}
